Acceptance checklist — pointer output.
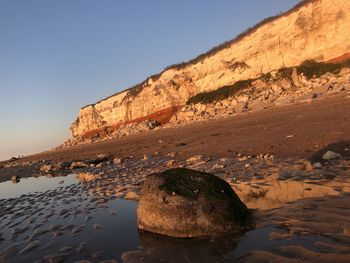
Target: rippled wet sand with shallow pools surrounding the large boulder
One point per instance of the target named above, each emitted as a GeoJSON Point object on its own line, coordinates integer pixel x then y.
{"type": "Point", "coordinates": [300, 215]}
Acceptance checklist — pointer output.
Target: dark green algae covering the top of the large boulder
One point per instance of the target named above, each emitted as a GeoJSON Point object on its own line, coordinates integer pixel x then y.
{"type": "Point", "coordinates": [191, 184]}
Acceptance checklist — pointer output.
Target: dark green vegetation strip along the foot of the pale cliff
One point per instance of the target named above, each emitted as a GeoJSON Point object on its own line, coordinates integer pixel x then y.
{"type": "Point", "coordinates": [310, 69]}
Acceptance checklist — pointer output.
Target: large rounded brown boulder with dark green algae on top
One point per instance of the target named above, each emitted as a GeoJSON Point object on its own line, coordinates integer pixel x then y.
{"type": "Point", "coordinates": [188, 203]}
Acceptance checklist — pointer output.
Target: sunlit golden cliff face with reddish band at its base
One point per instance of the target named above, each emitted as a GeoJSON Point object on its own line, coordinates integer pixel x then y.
{"type": "Point", "coordinates": [316, 30]}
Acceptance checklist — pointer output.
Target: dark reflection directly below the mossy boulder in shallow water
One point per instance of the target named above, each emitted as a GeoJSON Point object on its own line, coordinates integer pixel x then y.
{"type": "Point", "coordinates": [157, 248]}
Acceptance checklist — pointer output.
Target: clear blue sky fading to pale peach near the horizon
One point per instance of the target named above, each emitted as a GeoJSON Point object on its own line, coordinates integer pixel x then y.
{"type": "Point", "coordinates": [56, 56]}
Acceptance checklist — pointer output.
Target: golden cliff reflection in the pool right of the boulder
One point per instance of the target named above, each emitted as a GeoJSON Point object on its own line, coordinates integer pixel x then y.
{"type": "Point", "coordinates": [271, 193]}
